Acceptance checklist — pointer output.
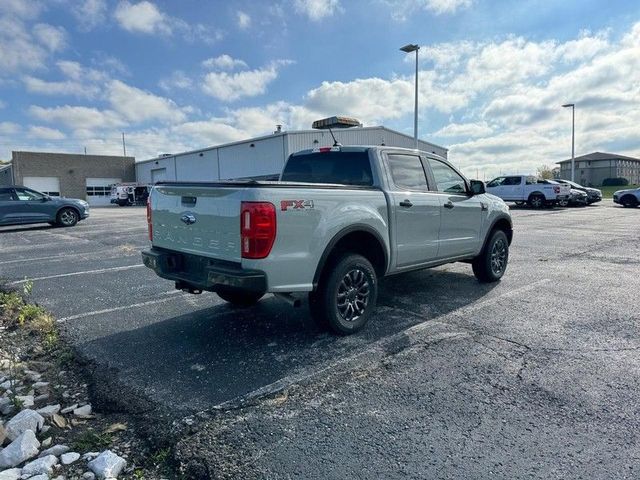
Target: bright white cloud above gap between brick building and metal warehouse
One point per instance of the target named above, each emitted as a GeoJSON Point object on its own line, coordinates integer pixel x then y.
{"type": "Point", "coordinates": [137, 105]}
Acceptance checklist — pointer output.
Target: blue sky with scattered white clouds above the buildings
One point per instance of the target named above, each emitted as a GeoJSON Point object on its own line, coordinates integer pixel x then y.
{"type": "Point", "coordinates": [182, 75]}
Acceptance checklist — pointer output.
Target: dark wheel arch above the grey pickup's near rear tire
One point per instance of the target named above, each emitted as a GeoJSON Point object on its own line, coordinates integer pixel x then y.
{"type": "Point", "coordinates": [360, 239]}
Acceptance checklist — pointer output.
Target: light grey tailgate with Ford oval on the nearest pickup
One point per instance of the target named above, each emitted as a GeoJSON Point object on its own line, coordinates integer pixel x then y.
{"type": "Point", "coordinates": [199, 220]}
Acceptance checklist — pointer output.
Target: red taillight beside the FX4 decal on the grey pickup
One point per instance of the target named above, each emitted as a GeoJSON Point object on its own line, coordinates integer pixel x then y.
{"type": "Point", "coordinates": [257, 229]}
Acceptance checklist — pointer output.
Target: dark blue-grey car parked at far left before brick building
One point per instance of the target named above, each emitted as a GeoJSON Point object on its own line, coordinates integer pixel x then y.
{"type": "Point", "coordinates": [20, 205]}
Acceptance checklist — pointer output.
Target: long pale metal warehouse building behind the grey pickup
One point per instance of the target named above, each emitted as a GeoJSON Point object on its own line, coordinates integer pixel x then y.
{"type": "Point", "coordinates": [264, 155]}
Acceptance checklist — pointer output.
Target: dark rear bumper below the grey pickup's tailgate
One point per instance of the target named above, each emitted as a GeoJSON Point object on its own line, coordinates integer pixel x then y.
{"type": "Point", "coordinates": [202, 273]}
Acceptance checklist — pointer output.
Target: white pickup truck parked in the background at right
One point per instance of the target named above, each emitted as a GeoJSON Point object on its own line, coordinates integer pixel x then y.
{"type": "Point", "coordinates": [528, 189]}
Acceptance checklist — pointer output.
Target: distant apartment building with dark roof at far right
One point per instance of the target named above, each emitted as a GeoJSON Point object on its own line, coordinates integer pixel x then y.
{"type": "Point", "coordinates": [593, 168]}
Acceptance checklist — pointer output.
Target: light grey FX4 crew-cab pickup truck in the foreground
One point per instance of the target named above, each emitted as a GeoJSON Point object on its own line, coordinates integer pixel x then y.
{"type": "Point", "coordinates": [337, 220]}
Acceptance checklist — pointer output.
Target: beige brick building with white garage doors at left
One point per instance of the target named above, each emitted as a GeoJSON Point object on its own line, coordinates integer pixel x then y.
{"type": "Point", "coordinates": [88, 177]}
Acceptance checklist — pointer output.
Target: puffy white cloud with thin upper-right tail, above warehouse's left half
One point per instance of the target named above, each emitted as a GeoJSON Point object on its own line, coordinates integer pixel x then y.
{"type": "Point", "coordinates": [232, 86]}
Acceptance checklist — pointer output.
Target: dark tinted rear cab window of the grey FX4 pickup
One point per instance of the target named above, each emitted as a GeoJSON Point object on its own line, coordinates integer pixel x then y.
{"type": "Point", "coordinates": [337, 167]}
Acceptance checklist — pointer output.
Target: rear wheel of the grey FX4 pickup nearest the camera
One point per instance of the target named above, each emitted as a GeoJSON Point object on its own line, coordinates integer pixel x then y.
{"type": "Point", "coordinates": [347, 296]}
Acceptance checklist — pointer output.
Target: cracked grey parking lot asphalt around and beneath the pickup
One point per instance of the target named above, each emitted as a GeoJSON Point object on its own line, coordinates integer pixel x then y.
{"type": "Point", "coordinates": [536, 375]}
